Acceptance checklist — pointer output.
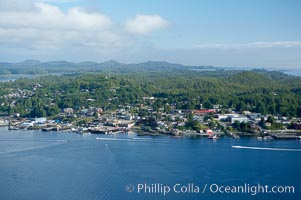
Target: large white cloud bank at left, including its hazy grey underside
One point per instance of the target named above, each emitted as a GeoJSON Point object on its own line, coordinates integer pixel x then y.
{"type": "Point", "coordinates": [46, 26]}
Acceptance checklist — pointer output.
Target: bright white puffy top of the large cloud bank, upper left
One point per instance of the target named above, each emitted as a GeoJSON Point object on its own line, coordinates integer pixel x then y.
{"type": "Point", "coordinates": [50, 17]}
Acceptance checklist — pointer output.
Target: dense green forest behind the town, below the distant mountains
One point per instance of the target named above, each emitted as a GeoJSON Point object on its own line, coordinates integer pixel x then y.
{"type": "Point", "coordinates": [259, 91]}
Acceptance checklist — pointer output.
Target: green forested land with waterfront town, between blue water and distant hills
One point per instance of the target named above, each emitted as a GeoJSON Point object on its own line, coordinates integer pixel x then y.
{"type": "Point", "coordinates": [185, 103]}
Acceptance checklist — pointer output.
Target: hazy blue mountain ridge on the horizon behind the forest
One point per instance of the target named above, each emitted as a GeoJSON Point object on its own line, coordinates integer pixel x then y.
{"type": "Point", "coordinates": [38, 67]}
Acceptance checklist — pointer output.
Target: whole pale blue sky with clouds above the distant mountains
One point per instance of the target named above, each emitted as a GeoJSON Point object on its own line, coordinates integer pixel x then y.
{"type": "Point", "coordinates": [231, 33]}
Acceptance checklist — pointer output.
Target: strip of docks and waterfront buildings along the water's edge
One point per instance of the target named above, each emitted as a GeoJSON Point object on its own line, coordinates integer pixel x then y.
{"type": "Point", "coordinates": [124, 126]}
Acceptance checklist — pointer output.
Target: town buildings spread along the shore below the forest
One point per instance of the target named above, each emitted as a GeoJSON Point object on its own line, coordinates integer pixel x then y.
{"type": "Point", "coordinates": [145, 120]}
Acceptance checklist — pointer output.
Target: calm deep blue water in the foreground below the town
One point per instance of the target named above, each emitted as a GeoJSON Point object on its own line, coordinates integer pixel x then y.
{"type": "Point", "coordinates": [36, 165]}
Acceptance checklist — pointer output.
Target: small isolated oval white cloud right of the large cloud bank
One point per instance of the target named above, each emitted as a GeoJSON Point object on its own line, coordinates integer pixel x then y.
{"type": "Point", "coordinates": [144, 24]}
